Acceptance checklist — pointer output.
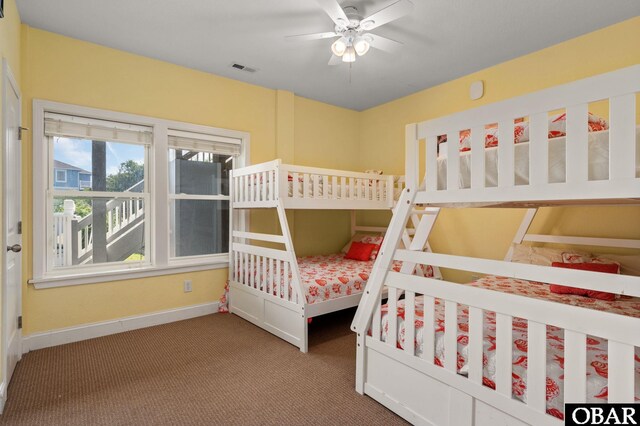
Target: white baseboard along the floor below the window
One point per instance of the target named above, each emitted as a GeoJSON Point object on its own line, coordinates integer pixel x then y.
{"type": "Point", "coordinates": [89, 331]}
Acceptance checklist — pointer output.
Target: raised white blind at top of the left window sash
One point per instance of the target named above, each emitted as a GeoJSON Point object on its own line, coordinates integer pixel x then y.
{"type": "Point", "coordinates": [69, 126]}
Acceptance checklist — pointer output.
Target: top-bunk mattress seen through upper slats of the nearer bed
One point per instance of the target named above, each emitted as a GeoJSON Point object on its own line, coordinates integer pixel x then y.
{"type": "Point", "coordinates": [598, 162]}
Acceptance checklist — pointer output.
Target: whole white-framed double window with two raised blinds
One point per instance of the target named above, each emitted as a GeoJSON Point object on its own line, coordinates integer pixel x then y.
{"type": "Point", "coordinates": [141, 196]}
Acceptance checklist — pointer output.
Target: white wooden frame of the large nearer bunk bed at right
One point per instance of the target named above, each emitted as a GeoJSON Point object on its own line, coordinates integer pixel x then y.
{"type": "Point", "coordinates": [424, 393]}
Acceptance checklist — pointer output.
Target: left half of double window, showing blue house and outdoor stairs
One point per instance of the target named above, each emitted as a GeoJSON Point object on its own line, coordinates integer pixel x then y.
{"type": "Point", "coordinates": [98, 211]}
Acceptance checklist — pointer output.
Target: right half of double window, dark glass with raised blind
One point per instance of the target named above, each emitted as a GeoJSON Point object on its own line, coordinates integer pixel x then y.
{"type": "Point", "coordinates": [199, 169]}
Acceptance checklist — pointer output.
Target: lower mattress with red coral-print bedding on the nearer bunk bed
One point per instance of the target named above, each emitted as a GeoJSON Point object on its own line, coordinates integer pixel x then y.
{"type": "Point", "coordinates": [597, 364]}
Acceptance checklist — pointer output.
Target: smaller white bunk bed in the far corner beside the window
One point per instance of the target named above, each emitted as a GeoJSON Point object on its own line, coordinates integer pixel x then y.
{"type": "Point", "coordinates": [279, 292]}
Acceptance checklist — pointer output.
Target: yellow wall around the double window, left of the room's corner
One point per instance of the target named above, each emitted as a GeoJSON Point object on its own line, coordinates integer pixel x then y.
{"type": "Point", "coordinates": [71, 71]}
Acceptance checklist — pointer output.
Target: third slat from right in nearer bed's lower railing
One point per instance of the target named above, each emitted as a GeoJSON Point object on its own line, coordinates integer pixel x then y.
{"type": "Point", "coordinates": [536, 365]}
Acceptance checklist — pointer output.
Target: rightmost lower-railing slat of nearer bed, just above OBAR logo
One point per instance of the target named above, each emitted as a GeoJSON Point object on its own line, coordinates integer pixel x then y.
{"type": "Point", "coordinates": [621, 372]}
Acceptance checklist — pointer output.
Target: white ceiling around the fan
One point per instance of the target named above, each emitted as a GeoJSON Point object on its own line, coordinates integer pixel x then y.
{"type": "Point", "coordinates": [444, 39]}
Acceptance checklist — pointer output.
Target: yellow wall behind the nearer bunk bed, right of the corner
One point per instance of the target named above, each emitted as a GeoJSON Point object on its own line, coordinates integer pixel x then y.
{"type": "Point", "coordinates": [487, 232]}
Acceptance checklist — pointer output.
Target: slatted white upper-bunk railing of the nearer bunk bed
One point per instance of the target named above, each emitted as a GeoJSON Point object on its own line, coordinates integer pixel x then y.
{"type": "Point", "coordinates": [619, 88]}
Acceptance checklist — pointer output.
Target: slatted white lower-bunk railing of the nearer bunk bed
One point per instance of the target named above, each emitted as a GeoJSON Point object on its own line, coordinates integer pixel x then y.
{"type": "Point", "coordinates": [621, 332]}
